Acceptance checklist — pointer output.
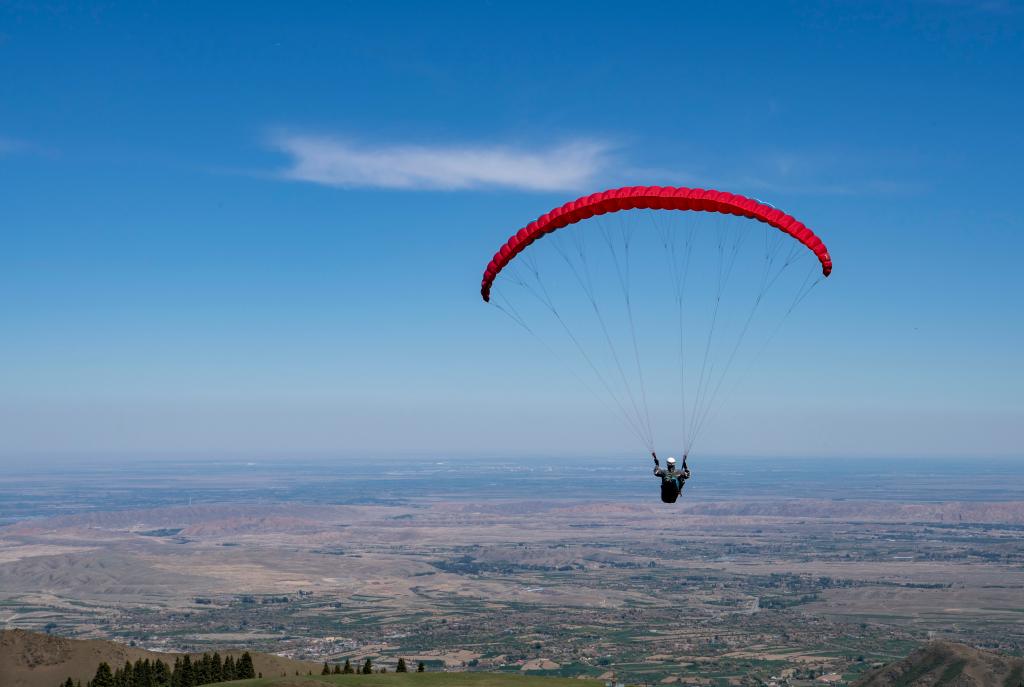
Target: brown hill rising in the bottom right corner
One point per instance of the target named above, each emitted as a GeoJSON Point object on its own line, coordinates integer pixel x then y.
{"type": "Point", "coordinates": [949, 665]}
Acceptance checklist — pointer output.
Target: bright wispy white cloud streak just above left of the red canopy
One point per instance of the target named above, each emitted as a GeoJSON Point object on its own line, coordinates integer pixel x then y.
{"type": "Point", "coordinates": [332, 162]}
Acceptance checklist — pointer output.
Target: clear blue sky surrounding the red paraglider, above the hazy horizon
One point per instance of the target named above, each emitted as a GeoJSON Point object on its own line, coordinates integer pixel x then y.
{"type": "Point", "coordinates": [258, 229]}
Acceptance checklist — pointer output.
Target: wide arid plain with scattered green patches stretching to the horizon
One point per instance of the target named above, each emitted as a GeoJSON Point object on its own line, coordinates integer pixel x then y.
{"type": "Point", "coordinates": [763, 570]}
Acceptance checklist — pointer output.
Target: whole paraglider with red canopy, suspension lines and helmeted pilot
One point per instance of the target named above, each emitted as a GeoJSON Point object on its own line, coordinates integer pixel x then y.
{"type": "Point", "coordinates": [706, 284]}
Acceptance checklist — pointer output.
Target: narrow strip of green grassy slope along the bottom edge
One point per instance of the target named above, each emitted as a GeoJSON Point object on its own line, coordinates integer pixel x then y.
{"type": "Point", "coordinates": [414, 680]}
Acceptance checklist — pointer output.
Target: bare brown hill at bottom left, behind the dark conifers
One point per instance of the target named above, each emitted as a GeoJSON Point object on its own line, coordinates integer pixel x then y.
{"type": "Point", "coordinates": [35, 660]}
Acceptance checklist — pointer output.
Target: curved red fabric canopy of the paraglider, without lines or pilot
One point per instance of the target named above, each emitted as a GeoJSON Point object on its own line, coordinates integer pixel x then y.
{"type": "Point", "coordinates": [654, 198]}
